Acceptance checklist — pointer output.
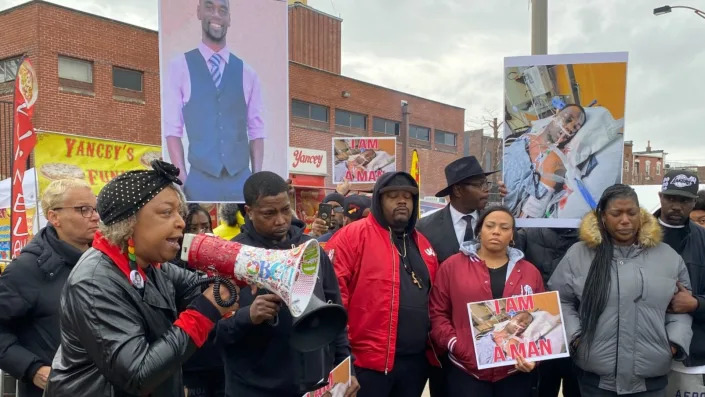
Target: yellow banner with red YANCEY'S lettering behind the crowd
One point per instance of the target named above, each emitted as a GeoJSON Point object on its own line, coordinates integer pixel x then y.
{"type": "Point", "coordinates": [96, 161]}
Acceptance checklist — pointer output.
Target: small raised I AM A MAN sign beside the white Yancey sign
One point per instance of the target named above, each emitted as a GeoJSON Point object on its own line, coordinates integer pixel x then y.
{"type": "Point", "coordinates": [363, 159]}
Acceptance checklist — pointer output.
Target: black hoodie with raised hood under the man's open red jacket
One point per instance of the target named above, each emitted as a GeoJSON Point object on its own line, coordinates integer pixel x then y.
{"type": "Point", "coordinates": [413, 321]}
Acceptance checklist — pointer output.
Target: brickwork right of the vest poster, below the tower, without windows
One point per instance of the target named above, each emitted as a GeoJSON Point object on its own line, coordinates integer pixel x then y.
{"type": "Point", "coordinates": [316, 86]}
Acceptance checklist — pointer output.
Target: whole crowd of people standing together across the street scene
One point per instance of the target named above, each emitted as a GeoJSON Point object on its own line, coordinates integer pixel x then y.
{"type": "Point", "coordinates": [101, 304]}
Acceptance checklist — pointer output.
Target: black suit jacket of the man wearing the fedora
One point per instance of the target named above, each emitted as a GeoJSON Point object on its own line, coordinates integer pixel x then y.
{"type": "Point", "coordinates": [438, 229]}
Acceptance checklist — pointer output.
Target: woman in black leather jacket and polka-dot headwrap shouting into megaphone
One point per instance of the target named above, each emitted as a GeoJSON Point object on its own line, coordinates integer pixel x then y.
{"type": "Point", "coordinates": [121, 334]}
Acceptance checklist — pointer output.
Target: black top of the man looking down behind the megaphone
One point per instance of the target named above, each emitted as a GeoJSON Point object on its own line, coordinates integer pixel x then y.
{"type": "Point", "coordinates": [258, 358]}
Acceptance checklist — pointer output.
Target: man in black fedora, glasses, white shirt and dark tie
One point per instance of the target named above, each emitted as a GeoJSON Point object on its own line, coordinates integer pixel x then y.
{"type": "Point", "coordinates": [468, 190]}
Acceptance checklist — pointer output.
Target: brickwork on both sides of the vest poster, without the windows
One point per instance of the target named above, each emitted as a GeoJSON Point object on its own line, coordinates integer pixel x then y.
{"type": "Point", "coordinates": [48, 30]}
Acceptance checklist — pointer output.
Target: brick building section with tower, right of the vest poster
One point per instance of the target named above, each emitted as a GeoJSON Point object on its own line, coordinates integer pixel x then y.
{"type": "Point", "coordinates": [326, 104]}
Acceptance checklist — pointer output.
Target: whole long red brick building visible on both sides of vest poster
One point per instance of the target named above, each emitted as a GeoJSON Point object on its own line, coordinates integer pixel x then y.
{"type": "Point", "coordinates": [100, 77]}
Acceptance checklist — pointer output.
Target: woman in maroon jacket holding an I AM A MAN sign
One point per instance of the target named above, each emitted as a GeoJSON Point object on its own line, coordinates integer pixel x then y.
{"type": "Point", "coordinates": [483, 270]}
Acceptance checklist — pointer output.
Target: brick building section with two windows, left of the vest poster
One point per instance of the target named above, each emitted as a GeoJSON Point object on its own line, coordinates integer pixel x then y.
{"type": "Point", "coordinates": [97, 77]}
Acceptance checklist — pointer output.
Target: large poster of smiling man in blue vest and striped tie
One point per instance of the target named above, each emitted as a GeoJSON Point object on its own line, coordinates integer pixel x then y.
{"type": "Point", "coordinates": [224, 93]}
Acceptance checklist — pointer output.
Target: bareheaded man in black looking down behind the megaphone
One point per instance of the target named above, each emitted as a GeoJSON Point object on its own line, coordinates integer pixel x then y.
{"type": "Point", "coordinates": [259, 360]}
